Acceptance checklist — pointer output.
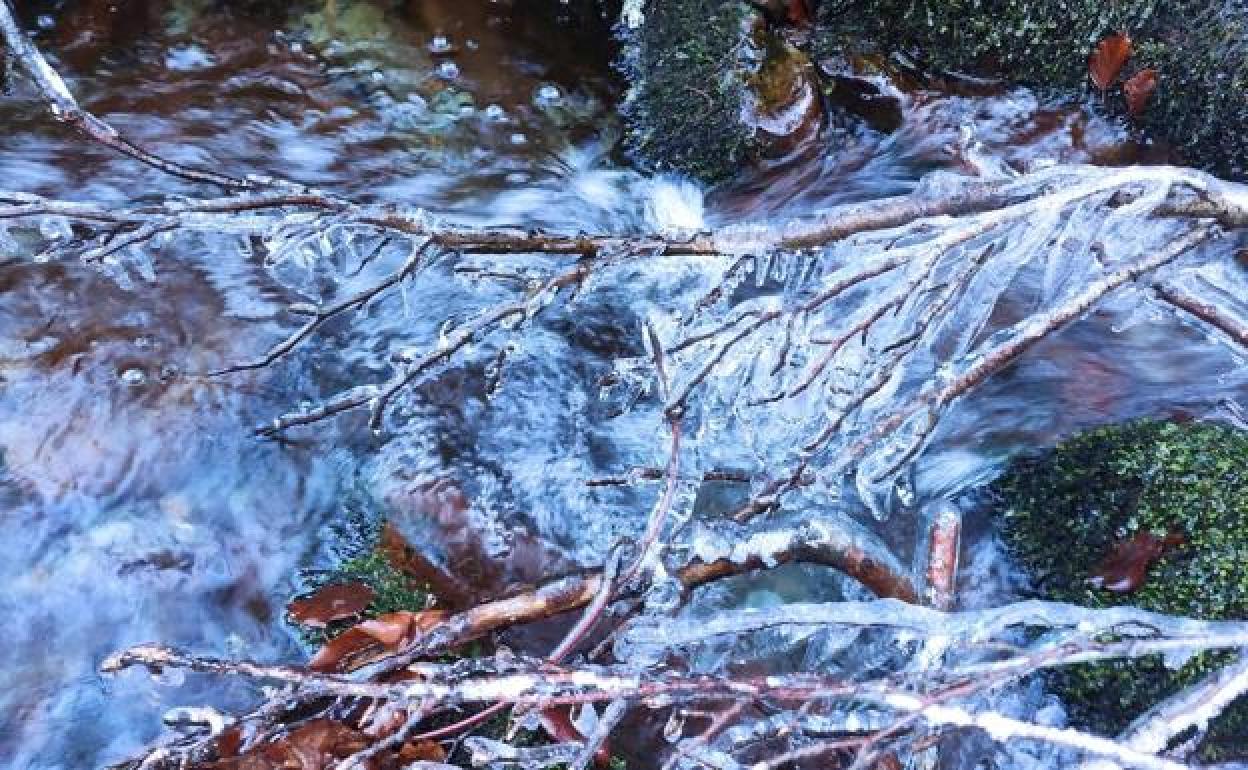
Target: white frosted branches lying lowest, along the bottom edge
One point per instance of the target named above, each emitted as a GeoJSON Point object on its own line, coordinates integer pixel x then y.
{"type": "Point", "coordinates": [818, 704]}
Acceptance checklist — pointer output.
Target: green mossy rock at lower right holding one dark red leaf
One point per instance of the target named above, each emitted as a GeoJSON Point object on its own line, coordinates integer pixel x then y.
{"type": "Point", "coordinates": [1065, 510]}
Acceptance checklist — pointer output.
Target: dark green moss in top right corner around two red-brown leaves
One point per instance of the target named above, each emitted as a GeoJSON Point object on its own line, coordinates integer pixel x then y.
{"type": "Point", "coordinates": [1196, 47]}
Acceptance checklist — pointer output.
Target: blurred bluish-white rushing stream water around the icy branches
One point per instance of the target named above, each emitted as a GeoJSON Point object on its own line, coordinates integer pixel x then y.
{"type": "Point", "coordinates": [138, 506]}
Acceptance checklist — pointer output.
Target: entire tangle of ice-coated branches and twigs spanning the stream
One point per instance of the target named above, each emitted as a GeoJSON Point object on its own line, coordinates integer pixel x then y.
{"type": "Point", "coordinates": [807, 364]}
